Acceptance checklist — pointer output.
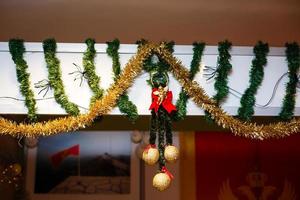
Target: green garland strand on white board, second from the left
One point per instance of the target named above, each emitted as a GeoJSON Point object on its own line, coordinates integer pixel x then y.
{"type": "Point", "coordinates": [54, 76]}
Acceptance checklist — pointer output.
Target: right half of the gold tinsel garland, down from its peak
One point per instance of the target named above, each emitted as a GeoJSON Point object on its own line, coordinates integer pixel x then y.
{"type": "Point", "coordinates": [245, 129]}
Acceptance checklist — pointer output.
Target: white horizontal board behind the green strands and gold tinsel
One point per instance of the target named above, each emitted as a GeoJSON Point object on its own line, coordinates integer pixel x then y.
{"type": "Point", "coordinates": [139, 93]}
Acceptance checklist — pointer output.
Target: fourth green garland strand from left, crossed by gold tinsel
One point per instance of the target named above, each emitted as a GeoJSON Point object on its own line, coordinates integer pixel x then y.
{"type": "Point", "coordinates": [125, 105]}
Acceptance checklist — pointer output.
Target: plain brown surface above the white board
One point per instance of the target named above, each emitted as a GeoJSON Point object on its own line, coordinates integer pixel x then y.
{"type": "Point", "coordinates": [241, 21]}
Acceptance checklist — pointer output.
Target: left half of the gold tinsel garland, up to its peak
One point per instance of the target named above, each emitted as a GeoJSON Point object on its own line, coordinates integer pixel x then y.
{"type": "Point", "coordinates": [99, 108]}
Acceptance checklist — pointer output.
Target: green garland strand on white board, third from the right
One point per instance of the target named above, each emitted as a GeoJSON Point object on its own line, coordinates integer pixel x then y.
{"type": "Point", "coordinates": [222, 71]}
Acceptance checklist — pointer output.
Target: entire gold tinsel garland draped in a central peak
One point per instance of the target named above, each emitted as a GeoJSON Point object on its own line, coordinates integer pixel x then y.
{"type": "Point", "coordinates": [133, 68]}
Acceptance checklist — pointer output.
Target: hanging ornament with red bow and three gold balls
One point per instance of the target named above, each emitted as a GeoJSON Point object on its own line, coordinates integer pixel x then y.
{"type": "Point", "coordinates": [161, 126]}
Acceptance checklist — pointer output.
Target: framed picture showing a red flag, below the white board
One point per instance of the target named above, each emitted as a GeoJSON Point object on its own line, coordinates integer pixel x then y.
{"type": "Point", "coordinates": [86, 165]}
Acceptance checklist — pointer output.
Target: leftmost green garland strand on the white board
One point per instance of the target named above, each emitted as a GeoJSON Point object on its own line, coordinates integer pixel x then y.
{"type": "Point", "coordinates": [17, 49]}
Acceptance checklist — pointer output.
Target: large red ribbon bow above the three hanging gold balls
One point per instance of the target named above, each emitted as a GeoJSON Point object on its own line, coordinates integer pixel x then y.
{"type": "Point", "coordinates": [166, 103]}
